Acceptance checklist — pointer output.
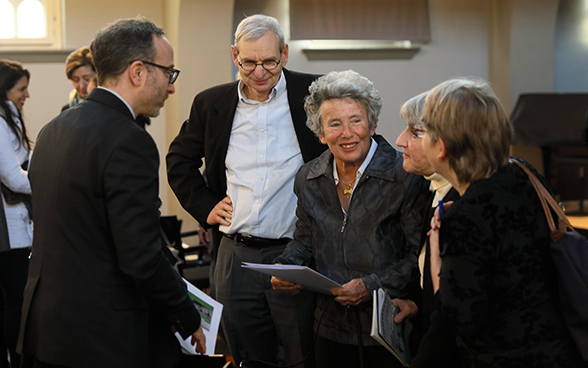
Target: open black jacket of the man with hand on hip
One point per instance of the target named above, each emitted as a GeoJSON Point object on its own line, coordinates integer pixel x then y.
{"type": "Point", "coordinates": [206, 135]}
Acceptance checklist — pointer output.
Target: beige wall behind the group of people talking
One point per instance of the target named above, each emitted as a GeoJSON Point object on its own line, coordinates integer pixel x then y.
{"type": "Point", "coordinates": [509, 42]}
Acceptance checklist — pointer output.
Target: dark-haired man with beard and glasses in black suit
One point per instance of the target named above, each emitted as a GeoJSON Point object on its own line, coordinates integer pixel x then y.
{"type": "Point", "coordinates": [99, 283]}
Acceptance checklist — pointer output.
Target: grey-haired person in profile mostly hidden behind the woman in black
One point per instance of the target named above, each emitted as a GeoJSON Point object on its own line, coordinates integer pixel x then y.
{"type": "Point", "coordinates": [439, 340]}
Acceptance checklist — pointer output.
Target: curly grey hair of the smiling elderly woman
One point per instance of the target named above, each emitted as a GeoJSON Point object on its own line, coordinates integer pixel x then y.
{"type": "Point", "coordinates": [341, 85]}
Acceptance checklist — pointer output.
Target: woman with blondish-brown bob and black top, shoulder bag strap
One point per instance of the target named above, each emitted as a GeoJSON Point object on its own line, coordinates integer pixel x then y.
{"type": "Point", "coordinates": [495, 280]}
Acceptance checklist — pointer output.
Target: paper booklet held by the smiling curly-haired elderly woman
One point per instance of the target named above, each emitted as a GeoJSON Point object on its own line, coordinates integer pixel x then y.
{"type": "Point", "coordinates": [302, 275]}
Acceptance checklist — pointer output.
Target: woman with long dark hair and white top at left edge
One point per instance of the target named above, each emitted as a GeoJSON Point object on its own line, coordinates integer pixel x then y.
{"type": "Point", "coordinates": [16, 233]}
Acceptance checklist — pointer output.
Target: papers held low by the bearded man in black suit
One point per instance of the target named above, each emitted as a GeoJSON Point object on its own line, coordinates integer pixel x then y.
{"type": "Point", "coordinates": [210, 314]}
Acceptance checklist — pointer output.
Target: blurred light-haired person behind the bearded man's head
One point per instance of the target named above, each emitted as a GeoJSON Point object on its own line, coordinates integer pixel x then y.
{"type": "Point", "coordinates": [80, 70]}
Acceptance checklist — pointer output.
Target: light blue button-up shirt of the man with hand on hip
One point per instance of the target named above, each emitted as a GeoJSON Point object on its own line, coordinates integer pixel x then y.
{"type": "Point", "coordinates": [262, 160]}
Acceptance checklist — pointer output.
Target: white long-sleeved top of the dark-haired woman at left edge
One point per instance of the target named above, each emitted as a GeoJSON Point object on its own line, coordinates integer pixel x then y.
{"type": "Point", "coordinates": [12, 154]}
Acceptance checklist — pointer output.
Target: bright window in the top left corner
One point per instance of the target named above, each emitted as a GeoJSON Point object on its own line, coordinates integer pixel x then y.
{"type": "Point", "coordinates": [30, 24]}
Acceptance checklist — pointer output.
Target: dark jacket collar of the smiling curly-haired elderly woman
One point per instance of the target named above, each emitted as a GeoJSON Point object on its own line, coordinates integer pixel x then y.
{"type": "Point", "coordinates": [381, 166]}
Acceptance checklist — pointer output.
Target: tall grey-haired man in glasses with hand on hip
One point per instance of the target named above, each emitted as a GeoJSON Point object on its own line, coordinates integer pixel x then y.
{"type": "Point", "coordinates": [253, 138]}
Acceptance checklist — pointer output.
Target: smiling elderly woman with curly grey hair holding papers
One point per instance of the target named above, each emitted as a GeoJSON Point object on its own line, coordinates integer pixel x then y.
{"type": "Point", "coordinates": [359, 218]}
